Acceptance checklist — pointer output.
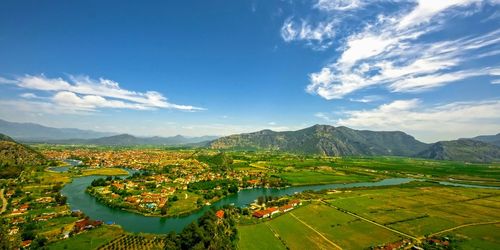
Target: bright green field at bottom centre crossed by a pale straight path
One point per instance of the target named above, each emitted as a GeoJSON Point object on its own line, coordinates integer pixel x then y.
{"type": "Point", "coordinates": [325, 222]}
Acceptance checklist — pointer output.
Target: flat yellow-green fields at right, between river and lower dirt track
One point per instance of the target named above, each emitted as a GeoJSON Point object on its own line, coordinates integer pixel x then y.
{"type": "Point", "coordinates": [422, 211]}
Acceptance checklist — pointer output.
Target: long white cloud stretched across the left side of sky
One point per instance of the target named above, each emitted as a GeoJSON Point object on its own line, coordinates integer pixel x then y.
{"type": "Point", "coordinates": [86, 94]}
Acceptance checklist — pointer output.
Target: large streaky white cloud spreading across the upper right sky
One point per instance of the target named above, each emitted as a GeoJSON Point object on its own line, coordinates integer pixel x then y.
{"type": "Point", "coordinates": [388, 51]}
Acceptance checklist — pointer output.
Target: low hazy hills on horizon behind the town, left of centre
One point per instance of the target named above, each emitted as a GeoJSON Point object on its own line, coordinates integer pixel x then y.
{"type": "Point", "coordinates": [130, 140]}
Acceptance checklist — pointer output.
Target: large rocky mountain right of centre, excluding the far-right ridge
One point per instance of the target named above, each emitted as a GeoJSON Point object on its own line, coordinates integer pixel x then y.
{"type": "Point", "coordinates": [325, 140]}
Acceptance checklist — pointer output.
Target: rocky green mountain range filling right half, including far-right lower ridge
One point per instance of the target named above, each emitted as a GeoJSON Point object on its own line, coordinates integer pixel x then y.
{"type": "Point", "coordinates": [343, 141]}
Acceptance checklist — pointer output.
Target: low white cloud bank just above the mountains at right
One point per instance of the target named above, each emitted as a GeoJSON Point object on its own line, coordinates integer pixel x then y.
{"type": "Point", "coordinates": [439, 122]}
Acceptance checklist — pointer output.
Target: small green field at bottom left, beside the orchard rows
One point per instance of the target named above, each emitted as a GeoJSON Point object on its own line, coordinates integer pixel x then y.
{"type": "Point", "coordinates": [91, 239]}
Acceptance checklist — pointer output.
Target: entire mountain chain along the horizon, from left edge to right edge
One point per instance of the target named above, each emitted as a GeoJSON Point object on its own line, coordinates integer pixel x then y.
{"type": "Point", "coordinates": [318, 139]}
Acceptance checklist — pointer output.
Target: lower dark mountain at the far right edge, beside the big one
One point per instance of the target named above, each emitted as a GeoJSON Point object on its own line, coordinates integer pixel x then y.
{"type": "Point", "coordinates": [462, 150]}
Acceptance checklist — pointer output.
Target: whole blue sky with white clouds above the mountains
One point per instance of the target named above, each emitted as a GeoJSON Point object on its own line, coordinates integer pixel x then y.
{"type": "Point", "coordinates": [429, 68]}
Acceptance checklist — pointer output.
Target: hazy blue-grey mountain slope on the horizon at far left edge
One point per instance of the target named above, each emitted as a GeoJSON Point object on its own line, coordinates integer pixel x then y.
{"type": "Point", "coordinates": [36, 132]}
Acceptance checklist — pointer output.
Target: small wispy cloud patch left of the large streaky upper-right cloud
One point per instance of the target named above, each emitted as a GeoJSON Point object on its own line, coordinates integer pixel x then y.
{"type": "Point", "coordinates": [318, 37]}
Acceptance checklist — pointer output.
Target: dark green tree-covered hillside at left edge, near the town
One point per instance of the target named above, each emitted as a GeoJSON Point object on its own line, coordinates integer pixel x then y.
{"type": "Point", "coordinates": [14, 157]}
